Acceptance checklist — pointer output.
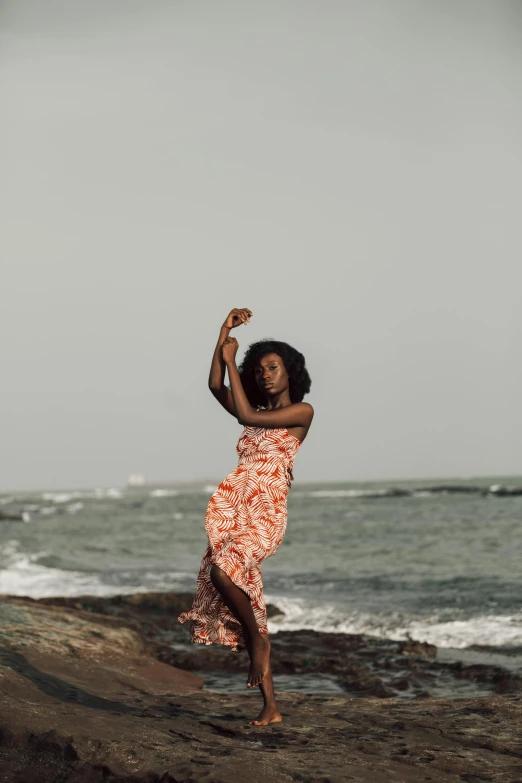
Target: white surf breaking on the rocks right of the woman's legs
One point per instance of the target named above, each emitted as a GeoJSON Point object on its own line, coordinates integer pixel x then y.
{"type": "Point", "coordinates": [494, 630]}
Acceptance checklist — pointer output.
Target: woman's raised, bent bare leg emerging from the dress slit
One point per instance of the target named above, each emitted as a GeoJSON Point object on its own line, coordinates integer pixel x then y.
{"type": "Point", "coordinates": [239, 604]}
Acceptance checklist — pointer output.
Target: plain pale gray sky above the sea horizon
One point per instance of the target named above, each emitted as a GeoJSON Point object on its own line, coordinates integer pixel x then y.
{"type": "Point", "coordinates": [350, 171]}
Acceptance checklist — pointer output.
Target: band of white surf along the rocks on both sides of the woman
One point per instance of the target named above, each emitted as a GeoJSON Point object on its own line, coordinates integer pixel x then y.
{"type": "Point", "coordinates": [24, 574]}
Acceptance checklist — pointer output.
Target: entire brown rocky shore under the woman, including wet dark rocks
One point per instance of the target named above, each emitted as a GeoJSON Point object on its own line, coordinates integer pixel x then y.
{"type": "Point", "coordinates": [109, 689]}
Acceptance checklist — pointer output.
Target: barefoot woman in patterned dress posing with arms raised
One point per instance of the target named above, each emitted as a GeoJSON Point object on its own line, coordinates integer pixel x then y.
{"type": "Point", "coordinates": [246, 516]}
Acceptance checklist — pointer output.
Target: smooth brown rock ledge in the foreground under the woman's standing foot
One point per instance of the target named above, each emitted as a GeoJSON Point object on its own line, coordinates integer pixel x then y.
{"type": "Point", "coordinates": [83, 699]}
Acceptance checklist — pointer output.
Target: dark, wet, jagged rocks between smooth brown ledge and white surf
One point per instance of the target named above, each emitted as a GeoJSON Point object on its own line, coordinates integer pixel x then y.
{"type": "Point", "coordinates": [361, 665]}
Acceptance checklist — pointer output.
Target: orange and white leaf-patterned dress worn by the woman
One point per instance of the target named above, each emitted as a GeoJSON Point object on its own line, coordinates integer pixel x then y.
{"type": "Point", "coordinates": [245, 523]}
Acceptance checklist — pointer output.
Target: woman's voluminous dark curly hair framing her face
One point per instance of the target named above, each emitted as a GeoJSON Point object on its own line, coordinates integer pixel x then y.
{"type": "Point", "coordinates": [298, 378]}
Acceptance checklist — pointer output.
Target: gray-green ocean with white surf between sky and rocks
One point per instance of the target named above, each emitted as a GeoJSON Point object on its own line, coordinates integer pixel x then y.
{"type": "Point", "coordinates": [437, 560]}
